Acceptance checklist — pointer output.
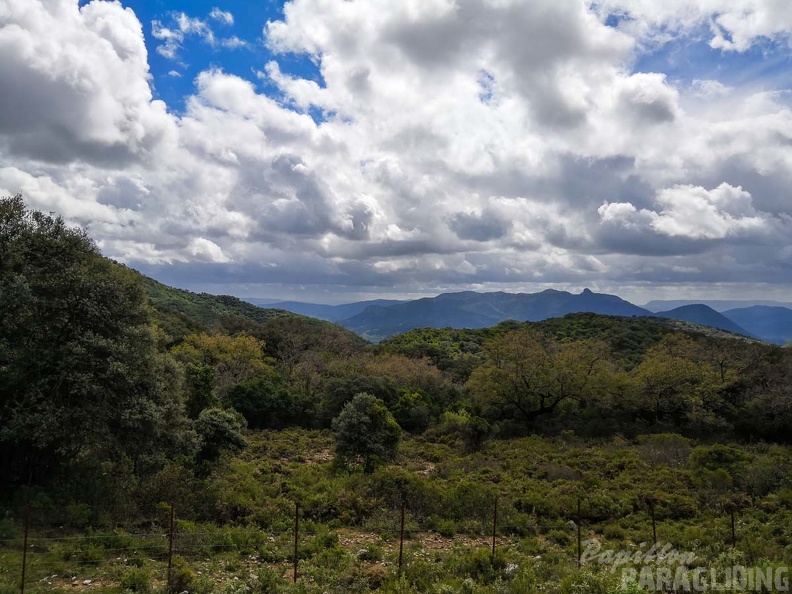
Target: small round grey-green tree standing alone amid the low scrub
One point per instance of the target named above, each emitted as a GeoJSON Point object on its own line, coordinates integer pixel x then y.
{"type": "Point", "coordinates": [365, 432]}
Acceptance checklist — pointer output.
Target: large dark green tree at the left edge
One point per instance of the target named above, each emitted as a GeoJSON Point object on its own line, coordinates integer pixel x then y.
{"type": "Point", "coordinates": [80, 374]}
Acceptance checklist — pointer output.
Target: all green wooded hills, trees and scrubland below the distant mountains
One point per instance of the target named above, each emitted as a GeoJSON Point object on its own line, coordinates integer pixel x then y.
{"type": "Point", "coordinates": [122, 398]}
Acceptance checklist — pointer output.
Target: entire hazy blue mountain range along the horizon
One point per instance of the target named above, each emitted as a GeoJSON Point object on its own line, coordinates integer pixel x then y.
{"type": "Point", "coordinates": [379, 319]}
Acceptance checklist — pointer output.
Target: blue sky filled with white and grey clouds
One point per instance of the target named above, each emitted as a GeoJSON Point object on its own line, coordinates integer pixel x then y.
{"type": "Point", "coordinates": [332, 150]}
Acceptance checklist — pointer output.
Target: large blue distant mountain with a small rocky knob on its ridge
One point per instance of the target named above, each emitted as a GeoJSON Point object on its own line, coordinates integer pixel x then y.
{"type": "Point", "coordinates": [481, 310]}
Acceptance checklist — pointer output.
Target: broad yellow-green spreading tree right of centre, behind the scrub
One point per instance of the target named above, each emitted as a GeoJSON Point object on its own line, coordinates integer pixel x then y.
{"type": "Point", "coordinates": [527, 376]}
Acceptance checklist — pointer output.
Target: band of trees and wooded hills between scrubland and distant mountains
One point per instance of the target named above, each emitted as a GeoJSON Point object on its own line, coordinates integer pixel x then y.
{"type": "Point", "coordinates": [106, 376]}
